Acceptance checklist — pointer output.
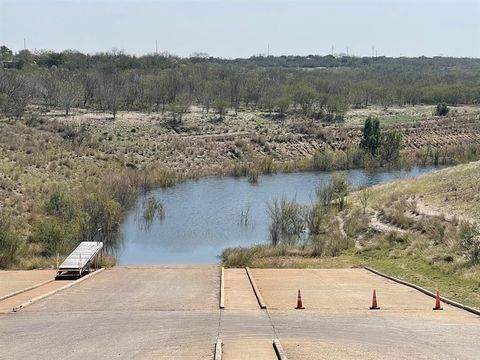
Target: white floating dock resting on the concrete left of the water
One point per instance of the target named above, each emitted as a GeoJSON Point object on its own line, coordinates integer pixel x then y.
{"type": "Point", "coordinates": [81, 258]}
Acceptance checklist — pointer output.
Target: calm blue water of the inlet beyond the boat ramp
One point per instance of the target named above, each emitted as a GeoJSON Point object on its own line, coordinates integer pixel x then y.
{"type": "Point", "coordinates": [202, 217]}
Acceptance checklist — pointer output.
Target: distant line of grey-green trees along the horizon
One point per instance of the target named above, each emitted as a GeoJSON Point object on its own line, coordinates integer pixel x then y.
{"type": "Point", "coordinates": [322, 87]}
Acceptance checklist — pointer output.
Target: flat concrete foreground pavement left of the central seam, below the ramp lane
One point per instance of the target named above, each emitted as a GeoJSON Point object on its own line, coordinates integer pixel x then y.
{"type": "Point", "coordinates": [109, 335]}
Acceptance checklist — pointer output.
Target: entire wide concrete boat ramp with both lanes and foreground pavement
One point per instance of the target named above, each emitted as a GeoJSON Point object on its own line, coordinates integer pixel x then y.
{"type": "Point", "coordinates": [193, 312]}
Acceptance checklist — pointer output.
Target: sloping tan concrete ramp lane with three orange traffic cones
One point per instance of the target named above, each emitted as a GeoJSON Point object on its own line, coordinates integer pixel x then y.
{"type": "Point", "coordinates": [345, 290]}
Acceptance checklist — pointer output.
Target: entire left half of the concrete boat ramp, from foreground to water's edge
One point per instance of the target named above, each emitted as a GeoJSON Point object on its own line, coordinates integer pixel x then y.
{"type": "Point", "coordinates": [125, 313]}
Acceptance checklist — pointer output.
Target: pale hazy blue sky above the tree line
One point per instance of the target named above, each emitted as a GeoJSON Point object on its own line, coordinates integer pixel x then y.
{"type": "Point", "coordinates": [240, 28]}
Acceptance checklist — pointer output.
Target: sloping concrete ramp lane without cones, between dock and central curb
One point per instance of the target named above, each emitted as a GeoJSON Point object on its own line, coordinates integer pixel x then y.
{"type": "Point", "coordinates": [140, 288]}
